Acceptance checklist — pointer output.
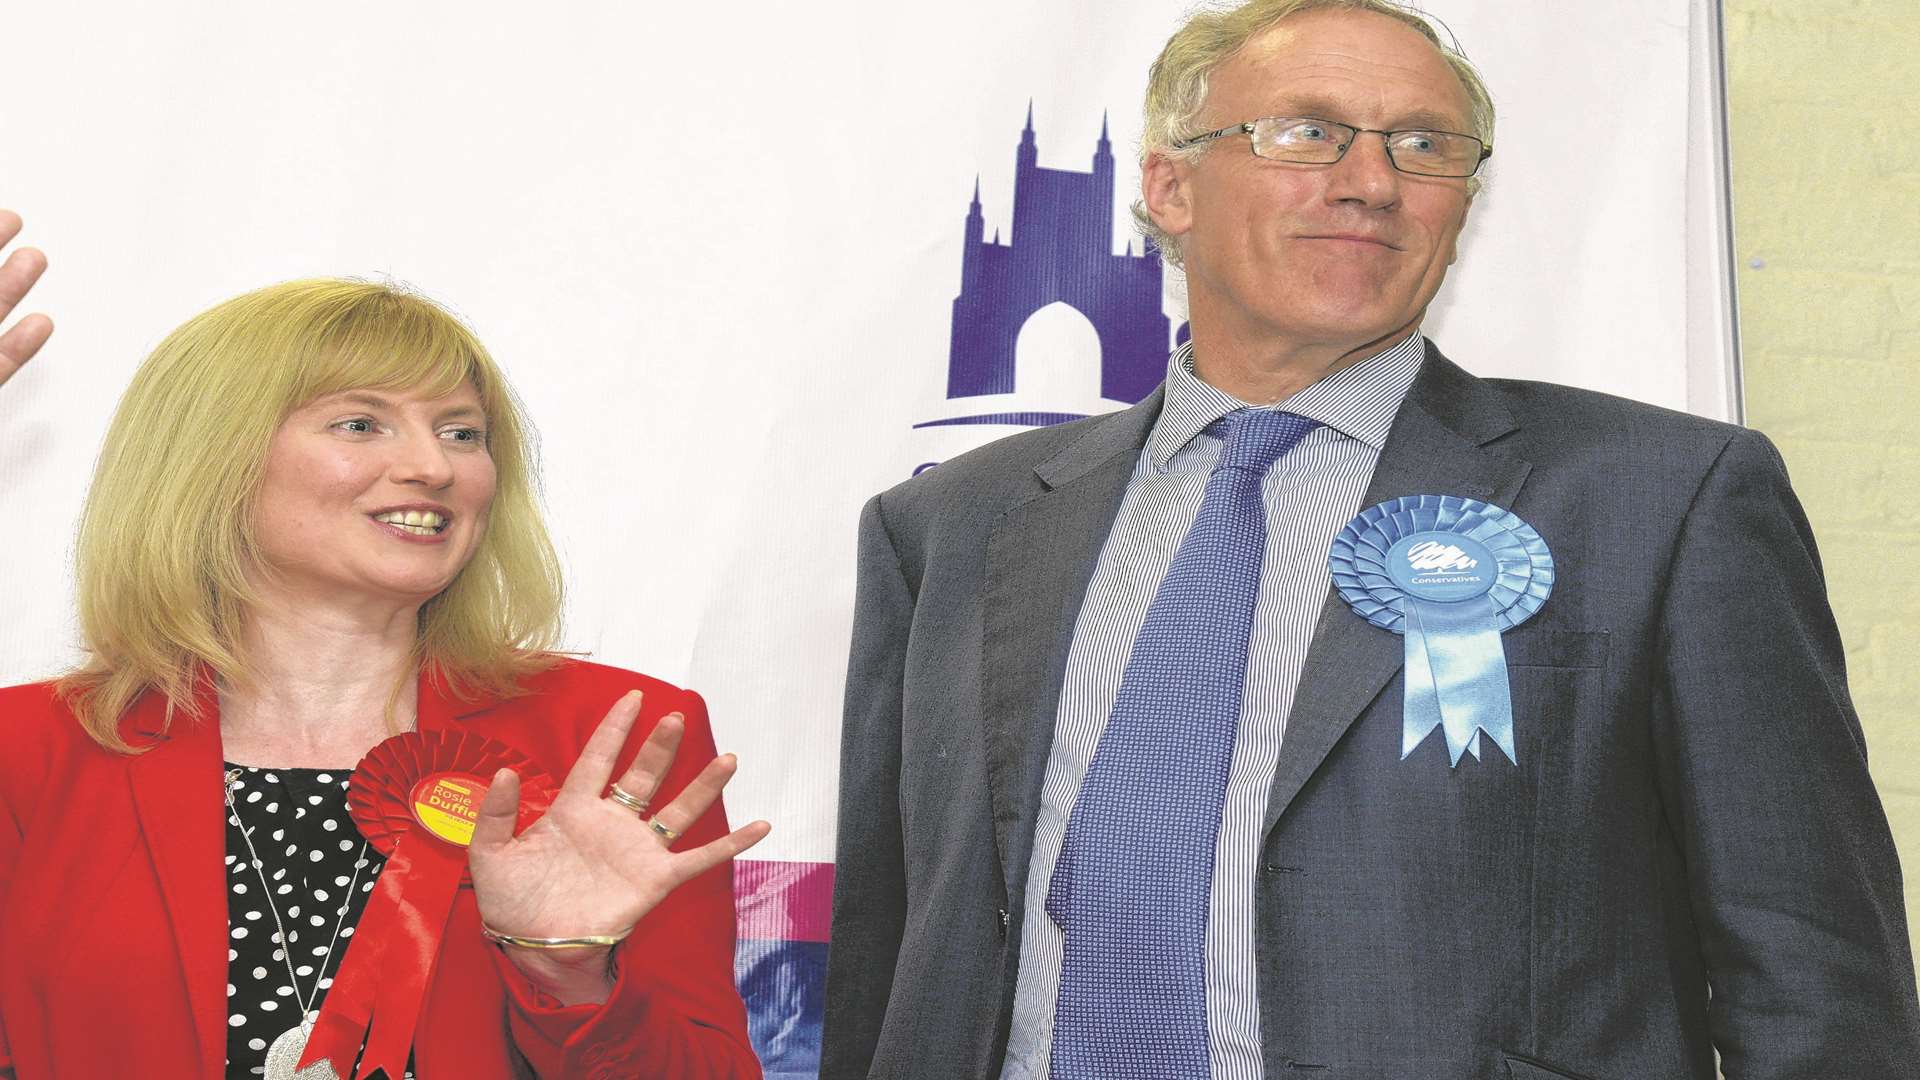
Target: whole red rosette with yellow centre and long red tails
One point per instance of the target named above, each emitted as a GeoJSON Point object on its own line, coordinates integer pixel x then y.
{"type": "Point", "coordinates": [416, 798]}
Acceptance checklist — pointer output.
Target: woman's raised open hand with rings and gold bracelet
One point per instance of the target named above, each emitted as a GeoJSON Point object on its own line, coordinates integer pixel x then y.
{"type": "Point", "coordinates": [592, 866]}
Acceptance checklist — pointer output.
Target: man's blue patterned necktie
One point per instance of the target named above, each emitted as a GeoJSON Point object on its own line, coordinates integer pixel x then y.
{"type": "Point", "coordinates": [1136, 870]}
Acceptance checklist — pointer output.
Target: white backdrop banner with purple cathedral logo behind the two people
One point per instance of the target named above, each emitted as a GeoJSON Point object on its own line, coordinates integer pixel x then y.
{"type": "Point", "coordinates": [750, 264]}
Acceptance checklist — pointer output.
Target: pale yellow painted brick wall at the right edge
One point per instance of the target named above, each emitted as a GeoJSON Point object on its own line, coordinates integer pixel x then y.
{"type": "Point", "coordinates": [1827, 216]}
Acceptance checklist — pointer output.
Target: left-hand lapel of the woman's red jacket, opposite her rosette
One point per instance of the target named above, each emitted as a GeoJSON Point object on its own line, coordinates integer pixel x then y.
{"type": "Point", "coordinates": [178, 795]}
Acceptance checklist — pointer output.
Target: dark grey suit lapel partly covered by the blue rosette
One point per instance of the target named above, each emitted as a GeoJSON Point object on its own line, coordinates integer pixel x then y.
{"type": "Point", "coordinates": [1439, 445]}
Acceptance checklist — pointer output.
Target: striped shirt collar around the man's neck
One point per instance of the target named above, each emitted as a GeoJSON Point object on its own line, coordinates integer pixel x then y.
{"type": "Point", "coordinates": [1358, 401]}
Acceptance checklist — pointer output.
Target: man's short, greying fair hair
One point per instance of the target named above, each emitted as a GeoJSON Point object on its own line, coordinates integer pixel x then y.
{"type": "Point", "coordinates": [1178, 84]}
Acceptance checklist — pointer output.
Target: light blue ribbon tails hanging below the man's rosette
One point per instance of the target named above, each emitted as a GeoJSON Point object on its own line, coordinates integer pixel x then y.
{"type": "Point", "coordinates": [1470, 674]}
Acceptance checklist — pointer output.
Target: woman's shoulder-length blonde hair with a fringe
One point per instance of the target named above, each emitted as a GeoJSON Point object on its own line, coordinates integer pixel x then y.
{"type": "Point", "coordinates": [168, 539]}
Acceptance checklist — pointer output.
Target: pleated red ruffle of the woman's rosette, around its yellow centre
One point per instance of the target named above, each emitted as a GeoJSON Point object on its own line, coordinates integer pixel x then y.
{"type": "Point", "coordinates": [383, 789]}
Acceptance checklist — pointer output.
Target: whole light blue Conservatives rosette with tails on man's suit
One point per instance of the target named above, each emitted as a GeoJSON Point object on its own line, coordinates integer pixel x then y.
{"type": "Point", "coordinates": [1451, 576]}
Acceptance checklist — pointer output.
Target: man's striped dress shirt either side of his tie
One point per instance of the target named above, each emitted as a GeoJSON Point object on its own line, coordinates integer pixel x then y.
{"type": "Point", "coordinates": [1312, 493]}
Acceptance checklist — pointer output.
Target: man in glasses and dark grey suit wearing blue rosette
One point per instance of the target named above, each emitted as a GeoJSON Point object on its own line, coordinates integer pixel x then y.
{"type": "Point", "coordinates": [1128, 791]}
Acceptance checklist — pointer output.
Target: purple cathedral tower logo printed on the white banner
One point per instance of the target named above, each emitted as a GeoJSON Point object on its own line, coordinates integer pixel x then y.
{"type": "Point", "coordinates": [1061, 253]}
